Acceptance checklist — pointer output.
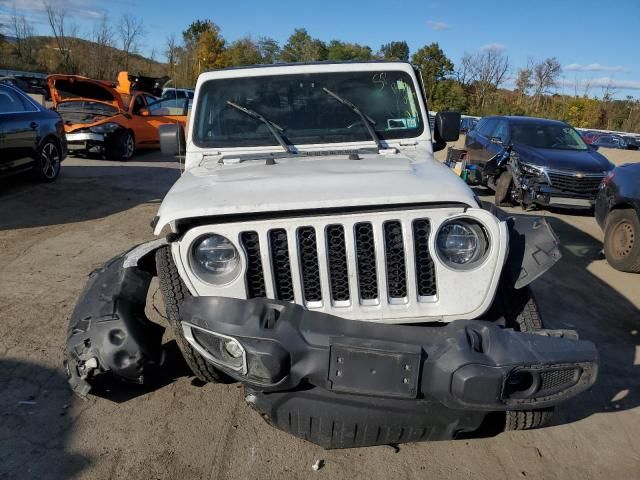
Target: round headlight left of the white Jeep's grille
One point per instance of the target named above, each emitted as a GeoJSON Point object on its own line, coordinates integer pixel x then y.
{"type": "Point", "coordinates": [215, 260]}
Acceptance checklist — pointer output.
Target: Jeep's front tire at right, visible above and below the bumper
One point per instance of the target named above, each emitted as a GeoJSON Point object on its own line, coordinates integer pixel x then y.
{"type": "Point", "coordinates": [520, 312]}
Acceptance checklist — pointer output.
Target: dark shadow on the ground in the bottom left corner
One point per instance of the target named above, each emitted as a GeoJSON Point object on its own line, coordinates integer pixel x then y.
{"type": "Point", "coordinates": [37, 415]}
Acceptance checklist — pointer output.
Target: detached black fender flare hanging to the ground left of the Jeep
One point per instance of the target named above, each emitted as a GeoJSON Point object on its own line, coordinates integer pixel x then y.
{"type": "Point", "coordinates": [108, 329]}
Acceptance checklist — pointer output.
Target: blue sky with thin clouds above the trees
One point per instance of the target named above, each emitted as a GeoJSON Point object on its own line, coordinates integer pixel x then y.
{"type": "Point", "coordinates": [596, 42]}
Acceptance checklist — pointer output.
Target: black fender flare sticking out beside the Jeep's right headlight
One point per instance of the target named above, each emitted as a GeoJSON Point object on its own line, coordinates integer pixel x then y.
{"type": "Point", "coordinates": [533, 249]}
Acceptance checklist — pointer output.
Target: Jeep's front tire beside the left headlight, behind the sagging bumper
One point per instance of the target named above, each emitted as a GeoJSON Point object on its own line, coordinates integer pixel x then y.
{"type": "Point", "coordinates": [174, 292]}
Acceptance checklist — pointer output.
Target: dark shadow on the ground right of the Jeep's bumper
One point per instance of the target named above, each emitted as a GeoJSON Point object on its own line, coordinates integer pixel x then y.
{"type": "Point", "coordinates": [569, 296]}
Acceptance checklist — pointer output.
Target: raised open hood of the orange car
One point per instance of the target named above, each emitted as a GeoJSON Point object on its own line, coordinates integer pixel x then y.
{"type": "Point", "coordinates": [65, 88]}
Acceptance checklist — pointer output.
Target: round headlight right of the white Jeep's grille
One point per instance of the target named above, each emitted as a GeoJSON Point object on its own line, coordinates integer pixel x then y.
{"type": "Point", "coordinates": [462, 243]}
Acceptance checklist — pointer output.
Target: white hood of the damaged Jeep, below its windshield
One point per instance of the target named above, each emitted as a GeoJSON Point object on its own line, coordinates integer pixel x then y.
{"type": "Point", "coordinates": [307, 183]}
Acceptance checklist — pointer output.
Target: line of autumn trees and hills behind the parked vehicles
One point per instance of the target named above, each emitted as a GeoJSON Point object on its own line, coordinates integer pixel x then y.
{"type": "Point", "coordinates": [476, 86]}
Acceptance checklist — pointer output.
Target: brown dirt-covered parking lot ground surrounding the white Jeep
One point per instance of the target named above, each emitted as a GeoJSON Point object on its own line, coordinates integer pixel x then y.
{"type": "Point", "coordinates": [52, 236]}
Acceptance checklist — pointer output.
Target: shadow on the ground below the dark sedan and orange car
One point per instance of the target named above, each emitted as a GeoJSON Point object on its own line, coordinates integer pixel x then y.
{"type": "Point", "coordinates": [85, 190]}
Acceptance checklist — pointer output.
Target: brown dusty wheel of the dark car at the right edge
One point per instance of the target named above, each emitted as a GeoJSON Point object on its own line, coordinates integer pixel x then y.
{"type": "Point", "coordinates": [622, 240]}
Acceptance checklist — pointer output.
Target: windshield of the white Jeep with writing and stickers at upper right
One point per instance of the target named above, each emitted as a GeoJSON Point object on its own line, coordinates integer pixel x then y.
{"type": "Point", "coordinates": [300, 105]}
